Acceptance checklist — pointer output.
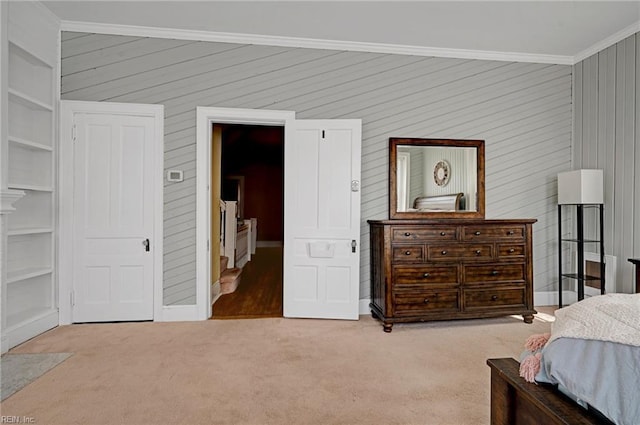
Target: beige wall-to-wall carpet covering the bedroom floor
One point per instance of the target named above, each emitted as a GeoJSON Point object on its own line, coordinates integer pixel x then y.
{"type": "Point", "coordinates": [269, 371]}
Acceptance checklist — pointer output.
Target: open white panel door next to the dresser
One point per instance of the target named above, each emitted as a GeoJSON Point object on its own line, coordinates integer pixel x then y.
{"type": "Point", "coordinates": [322, 219]}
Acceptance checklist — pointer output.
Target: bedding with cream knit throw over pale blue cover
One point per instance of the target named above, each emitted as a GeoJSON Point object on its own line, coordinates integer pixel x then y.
{"type": "Point", "coordinates": [594, 354]}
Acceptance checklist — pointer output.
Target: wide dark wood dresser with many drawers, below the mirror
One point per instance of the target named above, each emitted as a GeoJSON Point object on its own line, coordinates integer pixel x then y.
{"type": "Point", "coordinates": [425, 270]}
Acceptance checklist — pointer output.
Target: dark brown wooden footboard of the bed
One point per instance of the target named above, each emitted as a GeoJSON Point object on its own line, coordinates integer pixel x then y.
{"type": "Point", "coordinates": [515, 401]}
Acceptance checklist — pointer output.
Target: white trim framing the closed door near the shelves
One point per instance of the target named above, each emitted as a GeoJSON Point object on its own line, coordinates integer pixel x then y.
{"type": "Point", "coordinates": [65, 261]}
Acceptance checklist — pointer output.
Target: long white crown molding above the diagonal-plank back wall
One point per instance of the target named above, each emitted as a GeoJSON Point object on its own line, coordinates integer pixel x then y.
{"type": "Point", "coordinates": [223, 37]}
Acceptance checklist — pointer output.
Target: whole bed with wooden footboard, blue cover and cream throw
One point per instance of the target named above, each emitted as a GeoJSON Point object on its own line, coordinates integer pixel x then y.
{"type": "Point", "coordinates": [589, 369]}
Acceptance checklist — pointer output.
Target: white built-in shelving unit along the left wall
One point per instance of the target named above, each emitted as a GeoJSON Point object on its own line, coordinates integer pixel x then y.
{"type": "Point", "coordinates": [30, 289]}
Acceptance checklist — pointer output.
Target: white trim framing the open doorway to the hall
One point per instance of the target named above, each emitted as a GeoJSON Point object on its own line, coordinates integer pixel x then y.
{"type": "Point", "coordinates": [205, 118]}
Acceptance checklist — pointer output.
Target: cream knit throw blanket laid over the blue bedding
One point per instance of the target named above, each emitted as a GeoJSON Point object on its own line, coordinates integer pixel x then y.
{"type": "Point", "coordinates": [611, 317]}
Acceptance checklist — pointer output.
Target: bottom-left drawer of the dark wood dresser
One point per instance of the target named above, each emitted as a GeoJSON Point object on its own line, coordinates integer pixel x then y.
{"type": "Point", "coordinates": [411, 304]}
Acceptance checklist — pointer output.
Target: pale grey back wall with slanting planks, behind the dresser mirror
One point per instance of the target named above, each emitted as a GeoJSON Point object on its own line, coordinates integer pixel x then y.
{"type": "Point", "coordinates": [522, 110]}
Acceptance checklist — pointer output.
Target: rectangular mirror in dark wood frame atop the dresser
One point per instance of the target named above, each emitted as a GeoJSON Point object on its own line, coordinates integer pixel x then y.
{"type": "Point", "coordinates": [436, 178]}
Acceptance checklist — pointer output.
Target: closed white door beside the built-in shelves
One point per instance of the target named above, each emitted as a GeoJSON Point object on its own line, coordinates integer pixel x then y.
{"type": "Point", "coordinates": [113, 213]}
